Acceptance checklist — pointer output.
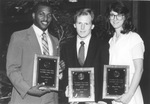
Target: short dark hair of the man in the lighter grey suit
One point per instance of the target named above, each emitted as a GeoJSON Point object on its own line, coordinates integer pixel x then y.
{"type": "Point", "coordinates": [41, 3]}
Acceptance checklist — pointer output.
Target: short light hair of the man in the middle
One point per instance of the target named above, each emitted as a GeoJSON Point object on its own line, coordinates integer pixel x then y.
{"type": "Point", "coordinates": [85, 11]}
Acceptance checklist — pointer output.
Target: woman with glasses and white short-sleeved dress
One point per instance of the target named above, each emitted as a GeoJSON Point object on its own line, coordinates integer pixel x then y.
{"type": "Point", "coordinates": [126, 48]}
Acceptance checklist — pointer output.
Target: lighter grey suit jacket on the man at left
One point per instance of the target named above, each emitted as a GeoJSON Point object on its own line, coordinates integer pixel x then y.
{"type": "Point", "coordinates": [20, 60]}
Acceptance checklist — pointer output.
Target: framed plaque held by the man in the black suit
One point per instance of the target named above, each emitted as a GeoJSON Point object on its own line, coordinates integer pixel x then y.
{"type": "Point", "coordinates": [81, 84]}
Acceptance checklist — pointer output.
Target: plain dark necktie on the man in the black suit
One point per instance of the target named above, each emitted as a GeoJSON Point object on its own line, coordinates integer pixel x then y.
{"type": "Point", "coordinates": [81, 53]}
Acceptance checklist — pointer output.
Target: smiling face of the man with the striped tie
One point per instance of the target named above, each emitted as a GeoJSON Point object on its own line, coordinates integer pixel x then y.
{"type": "Point", "coordinates": [42, 17]}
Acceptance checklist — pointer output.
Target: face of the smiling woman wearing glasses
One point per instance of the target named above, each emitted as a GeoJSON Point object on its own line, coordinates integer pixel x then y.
{"type": "Point", "coordinates": [116, 20]}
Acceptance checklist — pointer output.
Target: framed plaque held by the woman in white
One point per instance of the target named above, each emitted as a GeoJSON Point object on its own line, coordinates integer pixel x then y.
{"type": "Point", "coordinates": [115, 81]}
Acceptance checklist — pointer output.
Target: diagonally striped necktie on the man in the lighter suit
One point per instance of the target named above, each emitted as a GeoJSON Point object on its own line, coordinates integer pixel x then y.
{"type": "Point", "coordinates": [45, 44]}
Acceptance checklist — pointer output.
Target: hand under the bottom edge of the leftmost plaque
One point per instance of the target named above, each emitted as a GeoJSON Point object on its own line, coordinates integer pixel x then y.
{"type": "Point", "coordinates": [36, 91]}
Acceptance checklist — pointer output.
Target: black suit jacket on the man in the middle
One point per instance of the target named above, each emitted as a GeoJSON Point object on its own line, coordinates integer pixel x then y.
{"type": "Point", "coordinates": [97, 56]}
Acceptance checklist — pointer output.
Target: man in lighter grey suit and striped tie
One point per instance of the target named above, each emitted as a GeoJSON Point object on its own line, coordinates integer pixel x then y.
{"type": "Point", "coordinates": [23, 46]}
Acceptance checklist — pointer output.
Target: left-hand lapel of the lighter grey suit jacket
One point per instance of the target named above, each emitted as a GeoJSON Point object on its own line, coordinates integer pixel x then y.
{"type": "Point", "coordinates": [33, 40]}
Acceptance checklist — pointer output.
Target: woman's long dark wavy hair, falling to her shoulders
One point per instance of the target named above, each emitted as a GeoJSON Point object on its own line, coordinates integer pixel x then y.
{"type": "Point", "coordinates": [120, 8]}
